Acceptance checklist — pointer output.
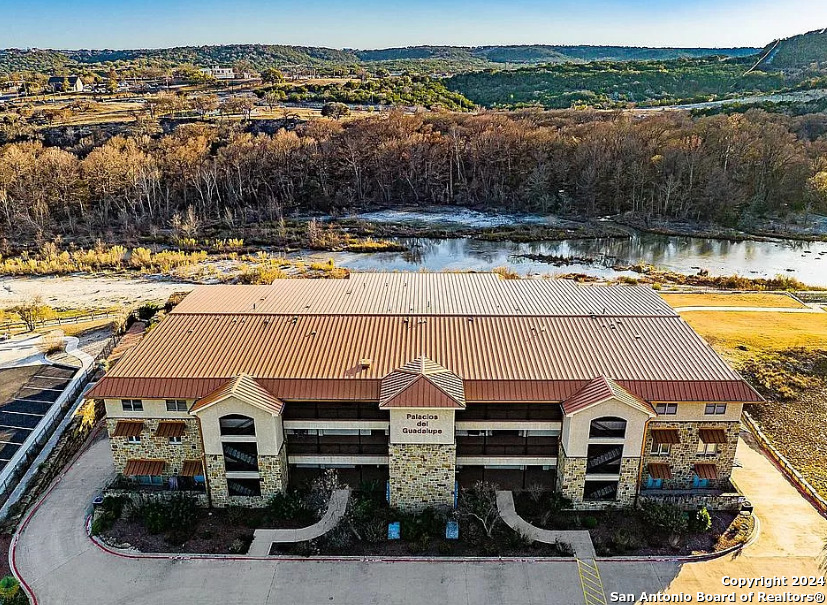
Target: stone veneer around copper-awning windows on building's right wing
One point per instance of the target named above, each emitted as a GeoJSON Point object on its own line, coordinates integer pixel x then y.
{"type": "Point", "coordinates": [684, 456]}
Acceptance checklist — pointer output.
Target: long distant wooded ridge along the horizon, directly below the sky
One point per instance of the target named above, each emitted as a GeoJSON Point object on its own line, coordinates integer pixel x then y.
{"type": "Point", "coordinates": [421, 58]}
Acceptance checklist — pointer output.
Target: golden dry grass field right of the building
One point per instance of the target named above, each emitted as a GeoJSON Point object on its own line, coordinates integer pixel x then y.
{"type": "Point", "coordinates": [785, 356]}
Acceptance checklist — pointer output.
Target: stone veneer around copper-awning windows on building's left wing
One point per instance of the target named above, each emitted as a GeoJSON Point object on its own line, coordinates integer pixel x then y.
{"type": "Point", "coordinates": [157, 448]}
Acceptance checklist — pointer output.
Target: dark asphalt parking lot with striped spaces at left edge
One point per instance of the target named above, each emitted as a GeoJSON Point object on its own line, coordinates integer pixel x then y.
{"type": "Point", "coordinates": [22, 412]}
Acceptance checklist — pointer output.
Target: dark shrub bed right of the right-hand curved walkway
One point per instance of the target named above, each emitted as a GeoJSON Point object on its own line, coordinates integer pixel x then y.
{"type": "Point", "coordinates": [654, 530]}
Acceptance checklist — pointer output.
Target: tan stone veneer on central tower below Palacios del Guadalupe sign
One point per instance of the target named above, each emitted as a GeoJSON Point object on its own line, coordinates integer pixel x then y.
{"type": "Point", "coordinates": [422, 475]}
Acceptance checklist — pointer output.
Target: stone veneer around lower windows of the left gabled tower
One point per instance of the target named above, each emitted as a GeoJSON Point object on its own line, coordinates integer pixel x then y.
{"type": "Point", "coordinates": [273, 473]}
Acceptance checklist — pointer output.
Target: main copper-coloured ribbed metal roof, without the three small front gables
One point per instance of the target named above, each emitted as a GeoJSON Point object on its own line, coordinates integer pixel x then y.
{"type": "Point", "coordinates": [498, 346]}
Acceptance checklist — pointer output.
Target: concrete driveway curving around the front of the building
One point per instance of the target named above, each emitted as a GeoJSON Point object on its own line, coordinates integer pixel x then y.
{"type": "Point", "coordinates": [64, 567]}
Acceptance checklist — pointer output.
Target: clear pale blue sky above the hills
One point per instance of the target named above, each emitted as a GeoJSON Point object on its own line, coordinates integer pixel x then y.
{"type": "Point", "coordinates": [363, 24]}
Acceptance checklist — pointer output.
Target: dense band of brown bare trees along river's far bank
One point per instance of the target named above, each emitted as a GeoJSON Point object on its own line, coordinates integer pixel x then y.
{"type": "Point", "coordinates": [723, 169]}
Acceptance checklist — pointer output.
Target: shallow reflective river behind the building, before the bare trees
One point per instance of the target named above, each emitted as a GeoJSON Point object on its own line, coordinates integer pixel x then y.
{"type": "Point", "coordinates": [805, 261]}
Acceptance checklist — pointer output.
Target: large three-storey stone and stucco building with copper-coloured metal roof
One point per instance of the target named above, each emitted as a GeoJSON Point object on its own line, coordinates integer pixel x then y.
{"type": "Point", "coordinates": [428, 382]}
